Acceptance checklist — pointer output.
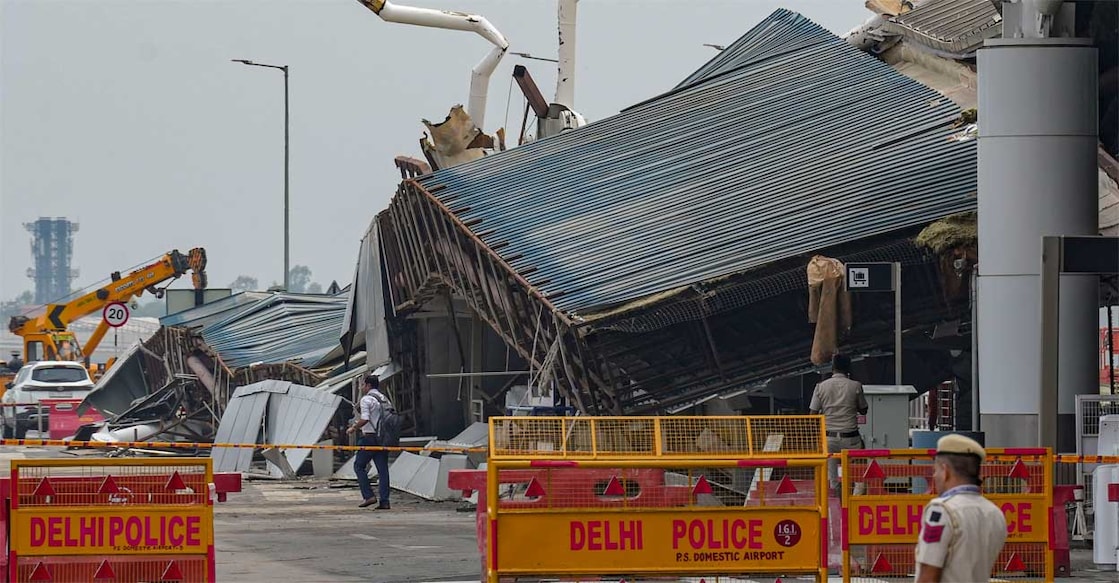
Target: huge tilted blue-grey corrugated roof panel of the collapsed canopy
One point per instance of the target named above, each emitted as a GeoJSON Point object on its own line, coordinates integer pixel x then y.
{"type": "Point", "coordinates": [798, 144]}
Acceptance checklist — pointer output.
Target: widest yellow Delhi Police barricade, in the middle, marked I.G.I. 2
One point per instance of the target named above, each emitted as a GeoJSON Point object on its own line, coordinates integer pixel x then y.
{"type": "Point", "coordinates": [640, 499]}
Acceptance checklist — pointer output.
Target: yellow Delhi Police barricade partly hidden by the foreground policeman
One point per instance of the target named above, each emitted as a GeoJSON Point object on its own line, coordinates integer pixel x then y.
{"type": "Point", "coordinates": [885, 493]}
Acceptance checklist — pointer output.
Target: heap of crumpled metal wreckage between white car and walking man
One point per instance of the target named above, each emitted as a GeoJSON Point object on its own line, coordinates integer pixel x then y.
{"type": "Point", "coordinates": [250, 369]}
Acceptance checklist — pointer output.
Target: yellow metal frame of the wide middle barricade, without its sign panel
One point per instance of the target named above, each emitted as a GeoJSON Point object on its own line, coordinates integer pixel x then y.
{"type": "Point", "coordinates": [659, 457]}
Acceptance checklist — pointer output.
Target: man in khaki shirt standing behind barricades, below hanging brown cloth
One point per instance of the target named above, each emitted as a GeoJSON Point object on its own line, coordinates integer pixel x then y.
{"type": "Point", "coordinates": [841, 401]}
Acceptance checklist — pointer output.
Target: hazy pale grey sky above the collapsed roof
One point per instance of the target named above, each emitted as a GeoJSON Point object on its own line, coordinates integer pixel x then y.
{"type": "Point", "coordinates": [128, 117]}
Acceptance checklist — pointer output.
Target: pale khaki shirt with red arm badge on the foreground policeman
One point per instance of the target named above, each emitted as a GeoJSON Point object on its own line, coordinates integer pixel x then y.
{"type": "Point", "coordinates": [962, 533]}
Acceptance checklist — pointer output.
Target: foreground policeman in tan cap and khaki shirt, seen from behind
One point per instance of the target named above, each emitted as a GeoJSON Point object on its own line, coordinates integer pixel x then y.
{"type": "Point", "coordinates": [962, 532]}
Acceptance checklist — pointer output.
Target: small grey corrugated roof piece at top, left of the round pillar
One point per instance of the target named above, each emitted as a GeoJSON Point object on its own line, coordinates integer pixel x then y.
{"type": "Point", "coordinates": [957, 27]}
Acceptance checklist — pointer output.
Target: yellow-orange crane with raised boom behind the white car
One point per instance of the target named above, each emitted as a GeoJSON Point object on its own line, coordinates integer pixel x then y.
{"type": "Point", "coordinates": [46, 336]}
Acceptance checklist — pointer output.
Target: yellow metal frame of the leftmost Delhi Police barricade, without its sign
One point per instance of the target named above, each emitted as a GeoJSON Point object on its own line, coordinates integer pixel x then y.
{"type": "Point", "coordinates": [206, 506]}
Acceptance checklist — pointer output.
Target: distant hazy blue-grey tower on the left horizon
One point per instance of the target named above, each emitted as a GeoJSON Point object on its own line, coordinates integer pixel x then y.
{"type": "Point", "coordinates": [52, 249]}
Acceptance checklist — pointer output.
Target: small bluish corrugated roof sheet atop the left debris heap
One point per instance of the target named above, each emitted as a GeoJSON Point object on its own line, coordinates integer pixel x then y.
{"type": "Point", "coordinates": [279, 328]}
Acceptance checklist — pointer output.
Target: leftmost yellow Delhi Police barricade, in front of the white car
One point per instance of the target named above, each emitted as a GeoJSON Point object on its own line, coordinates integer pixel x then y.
{"type": "Point", "coordinates": [111, 520]}
